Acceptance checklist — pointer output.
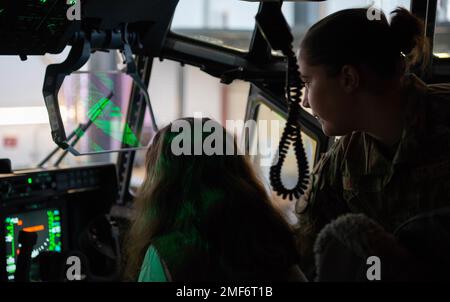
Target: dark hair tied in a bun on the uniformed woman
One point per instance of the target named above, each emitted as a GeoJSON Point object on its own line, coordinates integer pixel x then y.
{"type": "Point", "coordinates": [351, 37]}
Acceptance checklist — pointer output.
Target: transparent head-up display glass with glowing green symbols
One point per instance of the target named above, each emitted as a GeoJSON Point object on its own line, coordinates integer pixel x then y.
{"type": "Point", "coordinates": [102, 114]}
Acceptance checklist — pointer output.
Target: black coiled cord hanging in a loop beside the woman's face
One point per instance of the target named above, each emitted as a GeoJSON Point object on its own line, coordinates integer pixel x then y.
{"type": "Point", "coordinates": [291, 135]}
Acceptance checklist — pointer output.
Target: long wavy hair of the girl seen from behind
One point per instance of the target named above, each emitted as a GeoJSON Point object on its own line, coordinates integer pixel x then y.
{"type": "Point", "coordinates": [219, 196]}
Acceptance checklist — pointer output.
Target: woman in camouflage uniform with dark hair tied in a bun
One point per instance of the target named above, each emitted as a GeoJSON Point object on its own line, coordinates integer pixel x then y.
{"type": "Point", "coordinates": [393, 159]}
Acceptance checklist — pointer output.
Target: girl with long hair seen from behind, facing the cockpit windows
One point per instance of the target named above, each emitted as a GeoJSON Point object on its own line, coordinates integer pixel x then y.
{"type": "Point", "coordinates": [205, 217]}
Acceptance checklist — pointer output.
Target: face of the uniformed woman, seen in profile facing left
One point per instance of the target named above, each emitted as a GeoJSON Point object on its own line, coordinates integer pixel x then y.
{"type": "Point", "coordinates": [326, 97]}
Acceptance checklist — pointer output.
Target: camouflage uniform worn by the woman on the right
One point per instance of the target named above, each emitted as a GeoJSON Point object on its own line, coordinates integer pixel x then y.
{"type": "Point", "coordinates": [357, 176]}
